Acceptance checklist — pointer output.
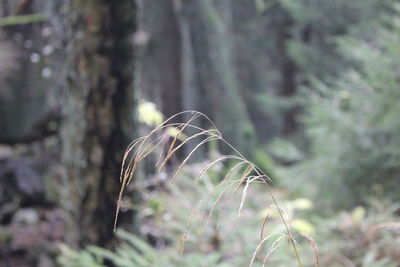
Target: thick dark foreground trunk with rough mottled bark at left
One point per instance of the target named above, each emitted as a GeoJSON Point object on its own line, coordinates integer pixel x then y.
{"type": "Point", "coordinates": [97, 114]}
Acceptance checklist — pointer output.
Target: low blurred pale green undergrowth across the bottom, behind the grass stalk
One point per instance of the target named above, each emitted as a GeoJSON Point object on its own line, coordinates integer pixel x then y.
{"type": "Point", "coordinates": [361, 237]}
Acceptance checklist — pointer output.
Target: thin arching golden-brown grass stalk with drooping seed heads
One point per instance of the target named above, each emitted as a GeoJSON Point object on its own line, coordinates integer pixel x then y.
{"type": "Point", "coordinates": [155, 141]}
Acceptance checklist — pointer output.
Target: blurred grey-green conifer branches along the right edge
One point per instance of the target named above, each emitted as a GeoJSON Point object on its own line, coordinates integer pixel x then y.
{"type": "Point", "coordinates": [353, 125]}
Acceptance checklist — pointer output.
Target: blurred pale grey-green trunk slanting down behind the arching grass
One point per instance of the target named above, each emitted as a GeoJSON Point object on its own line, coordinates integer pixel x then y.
{"type": "Point", "coordinates": [207, 27]}
